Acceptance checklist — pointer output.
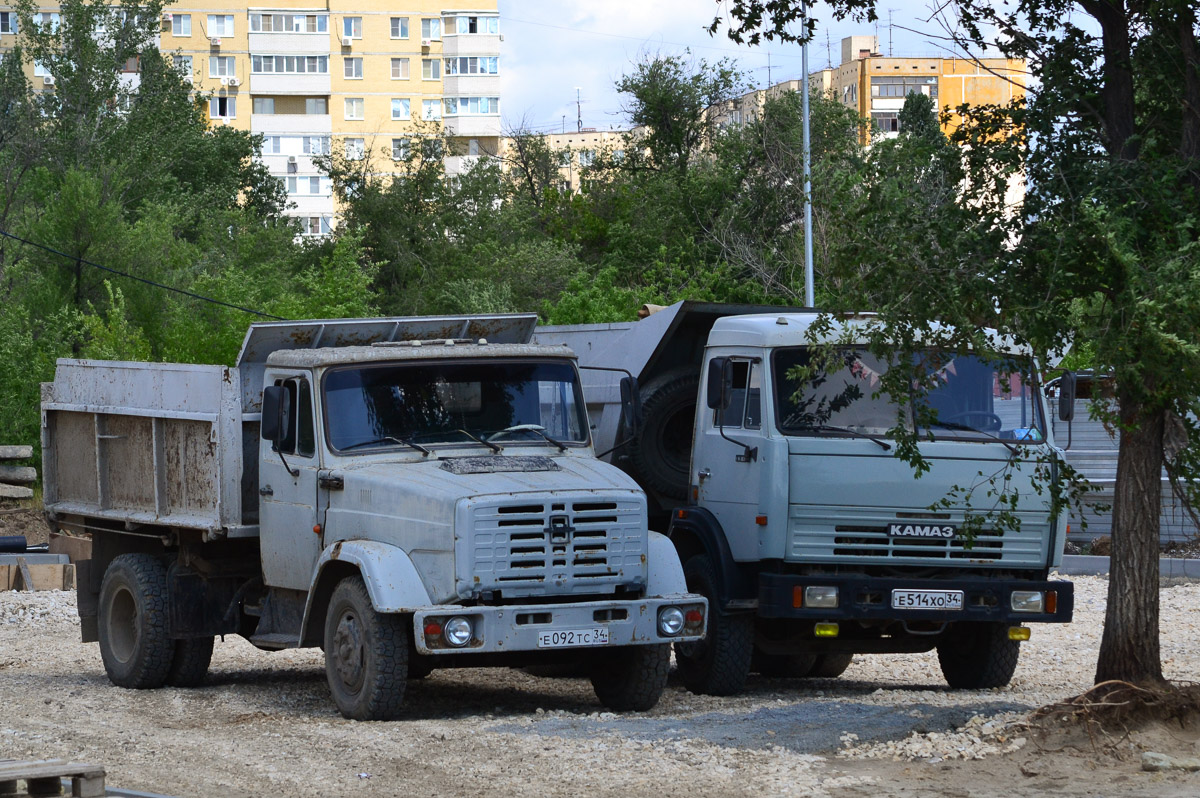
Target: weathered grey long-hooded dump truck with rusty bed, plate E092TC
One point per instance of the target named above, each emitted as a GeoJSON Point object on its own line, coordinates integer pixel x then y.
{"type": "Point", "coordinates": [405, 494]}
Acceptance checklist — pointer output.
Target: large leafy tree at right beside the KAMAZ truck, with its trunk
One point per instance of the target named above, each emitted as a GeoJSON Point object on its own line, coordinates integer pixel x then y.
{"type": "Point", "coordinates": [1111, 147]}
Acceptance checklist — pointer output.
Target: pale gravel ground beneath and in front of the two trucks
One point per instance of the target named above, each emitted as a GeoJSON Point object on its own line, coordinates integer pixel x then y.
{"type": "Point", "coordinates": [265, 725]}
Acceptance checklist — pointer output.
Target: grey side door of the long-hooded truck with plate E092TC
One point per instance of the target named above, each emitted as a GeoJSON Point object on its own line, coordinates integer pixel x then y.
{"type": "Point", "coordinates": [287, 481]}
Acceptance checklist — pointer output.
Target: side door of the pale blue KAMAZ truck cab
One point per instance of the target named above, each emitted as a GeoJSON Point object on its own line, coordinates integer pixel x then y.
{"type": "Point", "coordinates": [729, 460]}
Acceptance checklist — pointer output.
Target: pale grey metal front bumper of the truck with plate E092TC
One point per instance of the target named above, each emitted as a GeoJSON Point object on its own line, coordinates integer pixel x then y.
{"type": "Point", "coordinates": [518, 628]}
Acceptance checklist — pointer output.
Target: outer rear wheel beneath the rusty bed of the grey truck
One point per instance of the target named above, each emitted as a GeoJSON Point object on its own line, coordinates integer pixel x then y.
{"type": "Point", "coordinates": [135, 643]}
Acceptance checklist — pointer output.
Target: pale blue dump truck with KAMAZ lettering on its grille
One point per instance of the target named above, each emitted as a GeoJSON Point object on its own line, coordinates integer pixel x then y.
{"type": "Point", "coordinates": [791, 513]}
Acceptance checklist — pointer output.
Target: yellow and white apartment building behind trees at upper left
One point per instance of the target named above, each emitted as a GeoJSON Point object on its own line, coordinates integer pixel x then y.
{"type": "Point", "coordinates": [365, 76]}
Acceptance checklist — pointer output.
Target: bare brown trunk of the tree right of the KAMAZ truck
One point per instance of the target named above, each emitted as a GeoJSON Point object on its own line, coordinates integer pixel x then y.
{"type": "Point", "coordinates": [1130, 647]}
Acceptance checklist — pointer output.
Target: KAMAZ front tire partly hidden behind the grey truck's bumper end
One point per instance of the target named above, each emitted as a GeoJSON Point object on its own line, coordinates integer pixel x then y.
{"type": "Point", "coordinates": [719, 664]}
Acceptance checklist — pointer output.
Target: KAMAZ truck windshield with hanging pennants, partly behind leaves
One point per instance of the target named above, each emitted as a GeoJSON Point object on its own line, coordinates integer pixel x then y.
{"type": "Point", "coordinates": [962, 398]}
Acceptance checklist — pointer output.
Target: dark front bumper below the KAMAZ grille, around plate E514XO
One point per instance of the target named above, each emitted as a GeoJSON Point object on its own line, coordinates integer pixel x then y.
{"type": "Point", "coordinates": [862, 598]}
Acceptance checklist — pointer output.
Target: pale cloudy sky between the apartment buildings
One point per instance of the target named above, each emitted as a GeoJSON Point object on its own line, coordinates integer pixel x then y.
{"type": "Point", "coordinates": [554, 47]}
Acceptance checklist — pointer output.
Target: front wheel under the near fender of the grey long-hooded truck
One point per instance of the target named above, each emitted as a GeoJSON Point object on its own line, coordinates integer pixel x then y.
{"type": "Point", "coordinates": [367, 655]}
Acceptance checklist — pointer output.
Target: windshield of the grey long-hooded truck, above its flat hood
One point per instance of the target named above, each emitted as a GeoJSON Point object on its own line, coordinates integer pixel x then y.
{"type": "Point", "coordinates": [389, 405]}
